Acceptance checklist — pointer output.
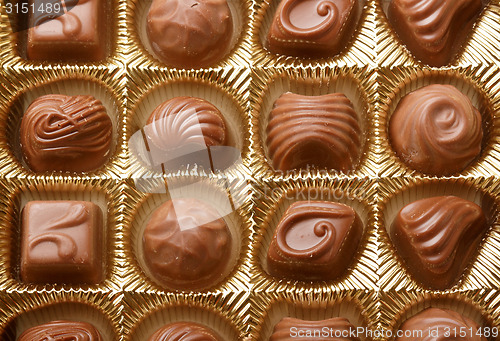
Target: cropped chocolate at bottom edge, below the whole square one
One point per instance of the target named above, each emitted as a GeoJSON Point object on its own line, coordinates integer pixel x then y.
{"type": "Point", "coordinates": [62, 330]}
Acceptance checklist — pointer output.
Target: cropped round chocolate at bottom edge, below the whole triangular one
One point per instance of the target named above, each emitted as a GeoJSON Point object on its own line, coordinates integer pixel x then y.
{"type": "Point", "coordinates": [434, 324]}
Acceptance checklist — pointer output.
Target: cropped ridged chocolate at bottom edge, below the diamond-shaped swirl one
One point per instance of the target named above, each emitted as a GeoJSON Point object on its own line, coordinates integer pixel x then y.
{"type": "Point", "coordinates": [337, 328]}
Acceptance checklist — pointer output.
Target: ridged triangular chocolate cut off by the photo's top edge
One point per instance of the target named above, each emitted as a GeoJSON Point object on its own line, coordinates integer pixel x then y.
{"type": "Point", "coordinates": [433, 30]}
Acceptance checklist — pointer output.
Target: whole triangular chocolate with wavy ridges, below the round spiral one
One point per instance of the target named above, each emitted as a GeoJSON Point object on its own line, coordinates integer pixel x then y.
{"type": "Point", "coordinates": [436, 238]}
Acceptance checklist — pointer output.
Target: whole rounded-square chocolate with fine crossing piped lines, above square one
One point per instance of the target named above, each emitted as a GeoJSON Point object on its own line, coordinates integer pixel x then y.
{"type": "Point", "coordinates": [66, 133]}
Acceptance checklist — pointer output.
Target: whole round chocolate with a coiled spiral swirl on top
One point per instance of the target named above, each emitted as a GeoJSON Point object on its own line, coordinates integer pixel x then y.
{"type": "Point", "coordinates": [436, 130]}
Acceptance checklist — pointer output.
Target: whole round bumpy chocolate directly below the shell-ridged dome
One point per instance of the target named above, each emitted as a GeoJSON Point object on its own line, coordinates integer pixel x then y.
{"type": "Point", "coordinates": [186, 244]}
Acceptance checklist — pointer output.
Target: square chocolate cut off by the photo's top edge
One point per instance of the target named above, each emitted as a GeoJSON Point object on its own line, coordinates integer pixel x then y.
{"type": "Point", "coordinates": [76, 35]}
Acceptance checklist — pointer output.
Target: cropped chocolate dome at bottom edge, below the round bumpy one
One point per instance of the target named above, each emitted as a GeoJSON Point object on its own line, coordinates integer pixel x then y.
{"type": "Point", "coordinates": [185, 331]}
